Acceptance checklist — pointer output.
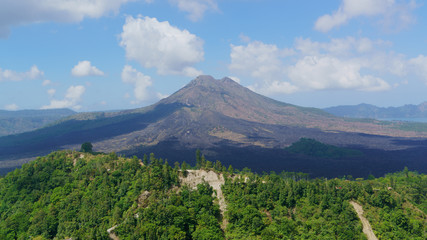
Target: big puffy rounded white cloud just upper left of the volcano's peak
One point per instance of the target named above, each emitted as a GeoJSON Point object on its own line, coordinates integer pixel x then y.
{"type": "Point", "coordinates": [159, 45]}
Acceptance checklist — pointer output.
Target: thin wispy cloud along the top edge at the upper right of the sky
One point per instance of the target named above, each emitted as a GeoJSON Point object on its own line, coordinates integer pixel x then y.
{"type": "Point", "coordinates": [393, 14]}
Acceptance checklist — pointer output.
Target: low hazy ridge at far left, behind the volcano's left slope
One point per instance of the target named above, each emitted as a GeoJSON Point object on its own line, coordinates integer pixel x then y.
{"type": "Point", "coordinates": [14, 122]}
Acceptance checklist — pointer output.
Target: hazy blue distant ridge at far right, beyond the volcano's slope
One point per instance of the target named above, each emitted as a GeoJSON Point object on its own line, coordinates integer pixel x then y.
{"type": "Point", "coordinates": [371, 111]}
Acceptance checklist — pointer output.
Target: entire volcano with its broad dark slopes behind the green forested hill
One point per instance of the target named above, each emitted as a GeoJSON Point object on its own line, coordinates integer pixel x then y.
{"type": "Point", "coordinates": [232, 124]}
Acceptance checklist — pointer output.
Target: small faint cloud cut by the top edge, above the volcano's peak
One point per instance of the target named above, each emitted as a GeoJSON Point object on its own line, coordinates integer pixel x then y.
{"type": "Point", "coordinates": [195, 8]}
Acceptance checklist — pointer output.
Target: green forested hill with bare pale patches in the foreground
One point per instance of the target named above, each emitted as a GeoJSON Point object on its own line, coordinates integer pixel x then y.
{"type": "Point", "coordinates": [76, 195]}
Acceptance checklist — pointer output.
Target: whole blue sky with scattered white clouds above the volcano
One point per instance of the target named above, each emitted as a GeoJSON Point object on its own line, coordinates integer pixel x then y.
{"type": "Point", "coordinates": [96, 55]}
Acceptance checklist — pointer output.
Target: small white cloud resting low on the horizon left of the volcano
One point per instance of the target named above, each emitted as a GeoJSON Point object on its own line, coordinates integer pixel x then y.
{"type": "Point", "coordinates": [71, 99]}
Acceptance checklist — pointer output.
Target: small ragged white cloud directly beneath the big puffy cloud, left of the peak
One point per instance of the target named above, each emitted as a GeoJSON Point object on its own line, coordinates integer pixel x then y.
{"type": "Point", "coordinates": [140, 81]}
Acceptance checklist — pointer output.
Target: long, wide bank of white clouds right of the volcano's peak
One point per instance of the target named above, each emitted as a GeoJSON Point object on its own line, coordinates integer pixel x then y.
{"type": "Point", "coordinates": [346, 63]}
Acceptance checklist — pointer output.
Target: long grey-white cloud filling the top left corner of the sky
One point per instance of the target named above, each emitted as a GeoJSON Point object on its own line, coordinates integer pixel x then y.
{"type": "Point", "coordinates": [14, 13]}
